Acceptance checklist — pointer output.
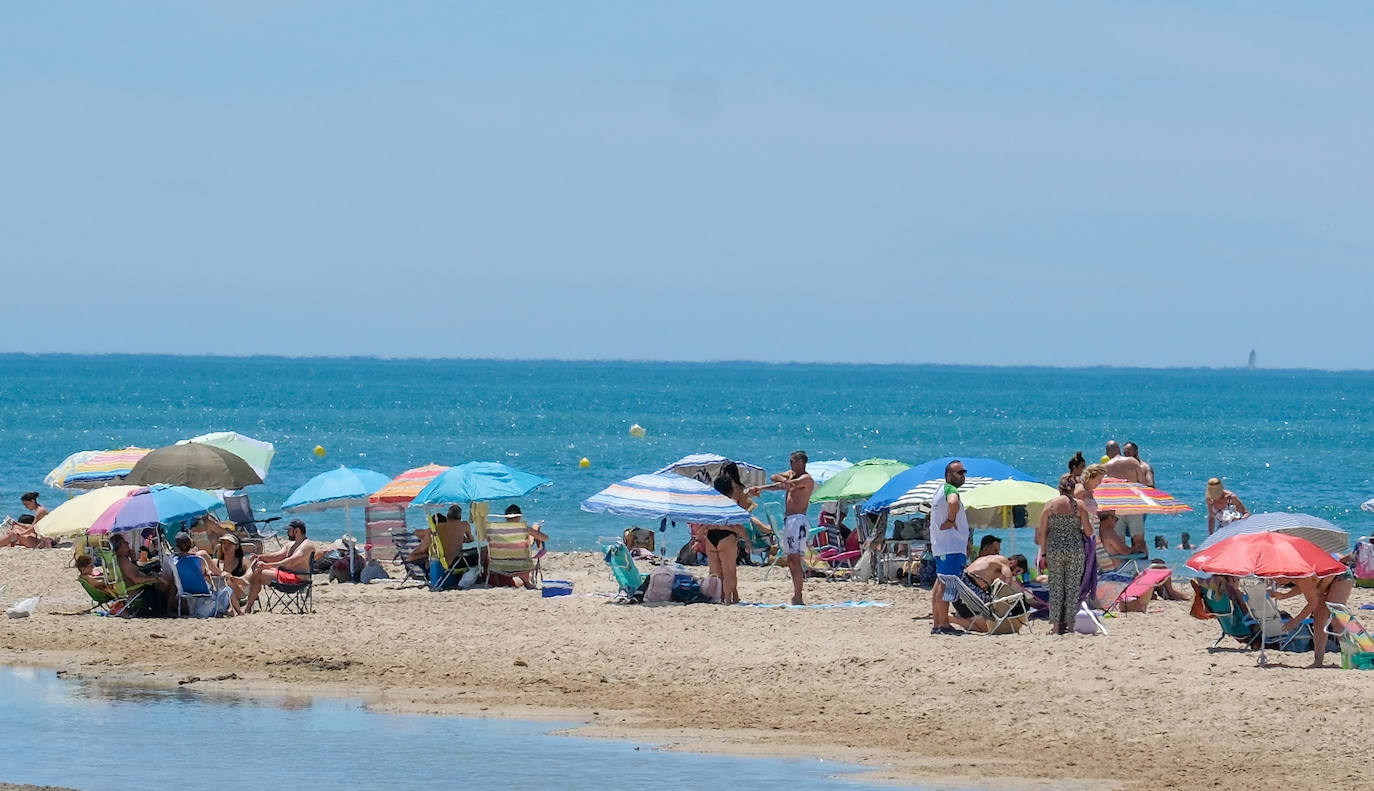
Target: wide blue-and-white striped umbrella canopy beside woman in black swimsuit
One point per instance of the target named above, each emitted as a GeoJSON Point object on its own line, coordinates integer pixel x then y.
{"type": "Point", "coordinates": [667, 496]}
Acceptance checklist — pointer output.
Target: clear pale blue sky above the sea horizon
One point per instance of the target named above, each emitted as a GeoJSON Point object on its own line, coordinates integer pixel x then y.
{"type": "Point", "coordinates": [1006, 185]}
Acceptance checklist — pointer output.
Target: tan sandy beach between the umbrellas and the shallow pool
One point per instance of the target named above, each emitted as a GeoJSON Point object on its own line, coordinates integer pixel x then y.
{"type": "Point", "coordinates": [1147, 708]}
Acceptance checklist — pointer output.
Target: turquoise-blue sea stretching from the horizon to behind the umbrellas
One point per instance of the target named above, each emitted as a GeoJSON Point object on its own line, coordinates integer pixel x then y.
{"type": "Point", "coordinates": [1283, 440]}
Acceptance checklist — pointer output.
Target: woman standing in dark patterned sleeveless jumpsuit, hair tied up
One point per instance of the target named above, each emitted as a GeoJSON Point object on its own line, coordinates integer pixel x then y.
{"type": "Point", "coordinates": [1066, 527]}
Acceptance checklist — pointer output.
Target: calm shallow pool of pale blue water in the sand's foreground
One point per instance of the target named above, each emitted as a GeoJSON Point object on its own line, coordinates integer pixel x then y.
{"type": "Point", "coordinates": [98, 737]}
